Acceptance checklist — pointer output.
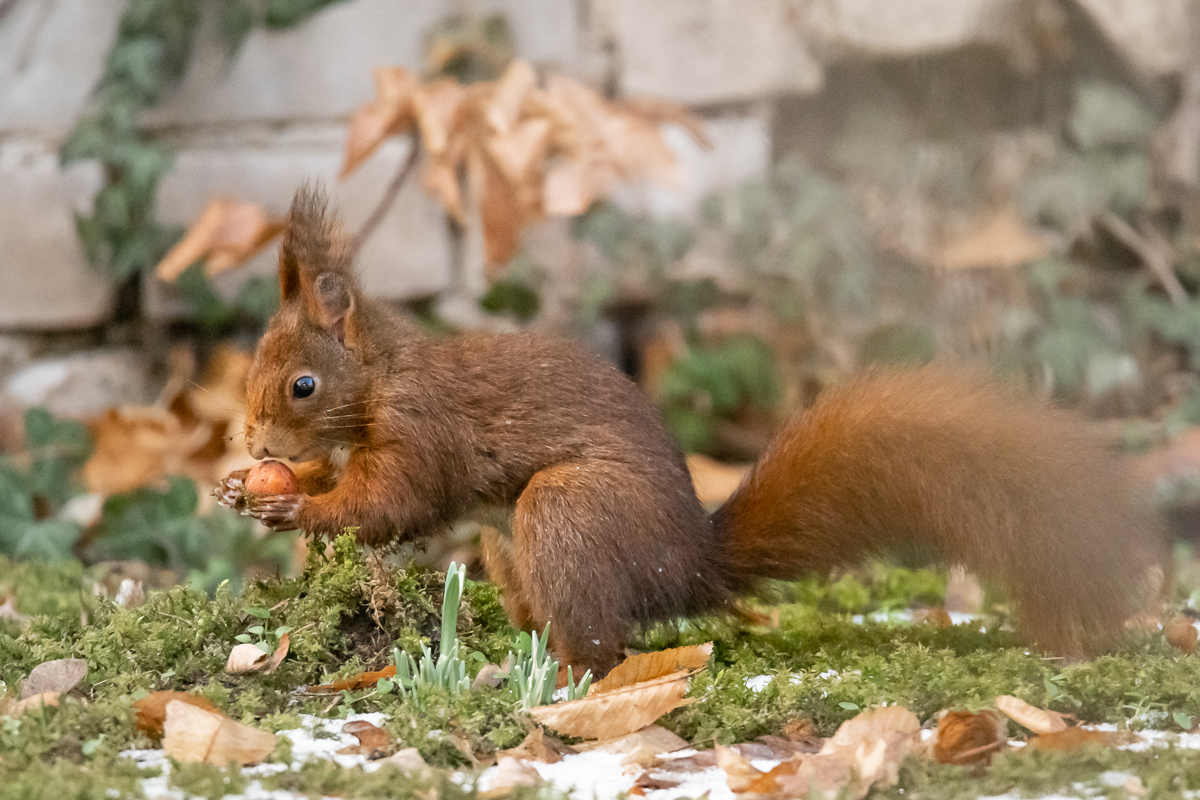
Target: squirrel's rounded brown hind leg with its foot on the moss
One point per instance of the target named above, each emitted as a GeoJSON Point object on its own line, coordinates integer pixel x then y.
{"type": "Point", "coordinates": [598, 550]}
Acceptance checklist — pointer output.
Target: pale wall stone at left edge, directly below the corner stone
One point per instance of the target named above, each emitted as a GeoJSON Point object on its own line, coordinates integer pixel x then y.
{"type": "Point", "coordinates": [47, 281]}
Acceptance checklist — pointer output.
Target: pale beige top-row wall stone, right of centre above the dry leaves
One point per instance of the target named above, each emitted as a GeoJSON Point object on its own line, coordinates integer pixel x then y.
{"type": "Point", "coordinates": [700, 52]}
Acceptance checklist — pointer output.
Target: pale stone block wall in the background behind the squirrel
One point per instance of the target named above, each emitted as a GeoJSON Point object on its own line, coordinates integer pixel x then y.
{"type": "Point", "coordinates": [259, 127]}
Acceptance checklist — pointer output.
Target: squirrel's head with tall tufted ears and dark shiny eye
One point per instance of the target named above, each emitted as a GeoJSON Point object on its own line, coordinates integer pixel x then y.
{"type": "Point", "coordinates": [307, 392]}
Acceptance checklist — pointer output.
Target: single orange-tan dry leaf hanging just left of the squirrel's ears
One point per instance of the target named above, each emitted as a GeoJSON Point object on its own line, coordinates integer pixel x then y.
{"type": "Point", "coordinates": [231, 233]}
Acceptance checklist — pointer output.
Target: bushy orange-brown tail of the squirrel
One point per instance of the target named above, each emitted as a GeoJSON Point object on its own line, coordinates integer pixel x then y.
{"type": "Point", "coordinates": [946, 460]}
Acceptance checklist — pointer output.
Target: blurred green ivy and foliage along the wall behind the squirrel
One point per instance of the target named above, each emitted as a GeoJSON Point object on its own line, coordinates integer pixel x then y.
{"type": "Point", "coordinates": [1030, 224]}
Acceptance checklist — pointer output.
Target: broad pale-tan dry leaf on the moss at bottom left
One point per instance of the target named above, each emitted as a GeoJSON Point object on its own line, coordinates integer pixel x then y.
{"type": "Point", "coordinates": [193, 735]}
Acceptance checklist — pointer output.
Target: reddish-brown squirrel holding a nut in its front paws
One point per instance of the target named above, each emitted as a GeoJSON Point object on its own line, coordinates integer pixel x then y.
{"type": "Point", "coordinates": [397, 434]}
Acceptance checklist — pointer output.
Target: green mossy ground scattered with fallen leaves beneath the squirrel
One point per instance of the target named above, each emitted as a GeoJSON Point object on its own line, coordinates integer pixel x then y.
{"type": "Point", "coordinates": [826, 669]}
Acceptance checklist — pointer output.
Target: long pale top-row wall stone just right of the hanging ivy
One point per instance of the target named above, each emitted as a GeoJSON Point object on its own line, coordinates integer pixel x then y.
{"type": "Point", "coordinates": [322, 69]}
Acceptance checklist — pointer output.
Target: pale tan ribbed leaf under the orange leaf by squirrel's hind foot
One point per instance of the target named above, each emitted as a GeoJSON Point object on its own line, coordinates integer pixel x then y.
{"type": "Point", "coordinates": [616, 713]}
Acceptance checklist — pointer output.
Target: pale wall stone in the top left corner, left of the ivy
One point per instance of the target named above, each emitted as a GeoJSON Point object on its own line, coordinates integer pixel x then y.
{"type": "Point", "coordinates": [51, 56]}
